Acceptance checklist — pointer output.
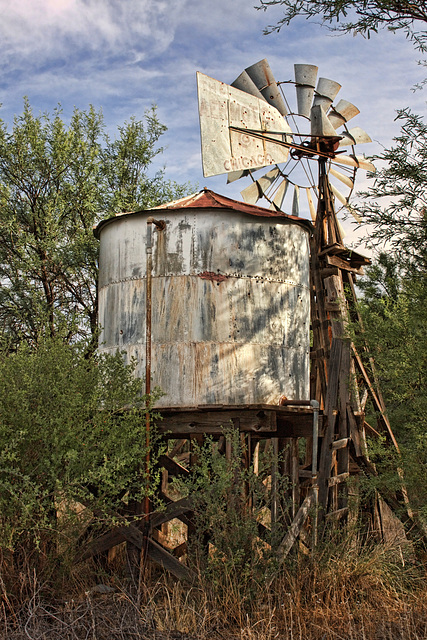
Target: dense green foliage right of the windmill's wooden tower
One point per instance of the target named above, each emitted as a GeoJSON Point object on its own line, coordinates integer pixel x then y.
{"type": "Point", "coordinates": [393, 311]}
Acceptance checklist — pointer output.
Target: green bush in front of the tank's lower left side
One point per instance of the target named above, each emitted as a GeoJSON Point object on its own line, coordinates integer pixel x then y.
{"type": "Point", "coordinates": [72, 445]}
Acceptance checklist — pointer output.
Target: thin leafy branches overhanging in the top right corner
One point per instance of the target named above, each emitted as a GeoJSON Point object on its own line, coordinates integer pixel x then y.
{"type": "Point", "coordinates": [358, 16]}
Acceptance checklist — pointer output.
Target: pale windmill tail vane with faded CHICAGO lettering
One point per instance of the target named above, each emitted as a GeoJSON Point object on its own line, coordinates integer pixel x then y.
{"type": "Point", "coordinates": [223, 111]}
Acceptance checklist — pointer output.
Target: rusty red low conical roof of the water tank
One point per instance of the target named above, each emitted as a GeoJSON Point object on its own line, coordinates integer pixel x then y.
{"type": "Point", "coordinates": [207, 199]}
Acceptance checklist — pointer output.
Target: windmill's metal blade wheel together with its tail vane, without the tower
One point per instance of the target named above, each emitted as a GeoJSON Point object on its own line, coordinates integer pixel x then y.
{"type": "Point", "coordinates": [250, 125]}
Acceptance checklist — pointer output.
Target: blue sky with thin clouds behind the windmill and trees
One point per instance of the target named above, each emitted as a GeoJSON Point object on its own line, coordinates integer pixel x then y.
{"type": "Point", "coordinates": [125, 55]}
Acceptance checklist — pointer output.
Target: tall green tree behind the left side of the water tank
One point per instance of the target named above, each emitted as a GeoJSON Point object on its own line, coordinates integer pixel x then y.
{"type": "Point", "coordinates": [56, 182]}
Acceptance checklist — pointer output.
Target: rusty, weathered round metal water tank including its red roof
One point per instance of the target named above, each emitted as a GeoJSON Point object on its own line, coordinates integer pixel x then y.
{"type": "Point", "coordinates": [230, 300]}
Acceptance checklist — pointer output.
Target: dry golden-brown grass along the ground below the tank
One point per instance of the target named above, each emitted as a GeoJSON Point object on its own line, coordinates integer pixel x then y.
{"type": "Point", "coordinates": [344, 593]}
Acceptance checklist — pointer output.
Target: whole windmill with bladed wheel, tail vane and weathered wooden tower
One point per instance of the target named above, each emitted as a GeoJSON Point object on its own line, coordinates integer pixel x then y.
{"type": "Point", "coordinates": [250, 126]}
